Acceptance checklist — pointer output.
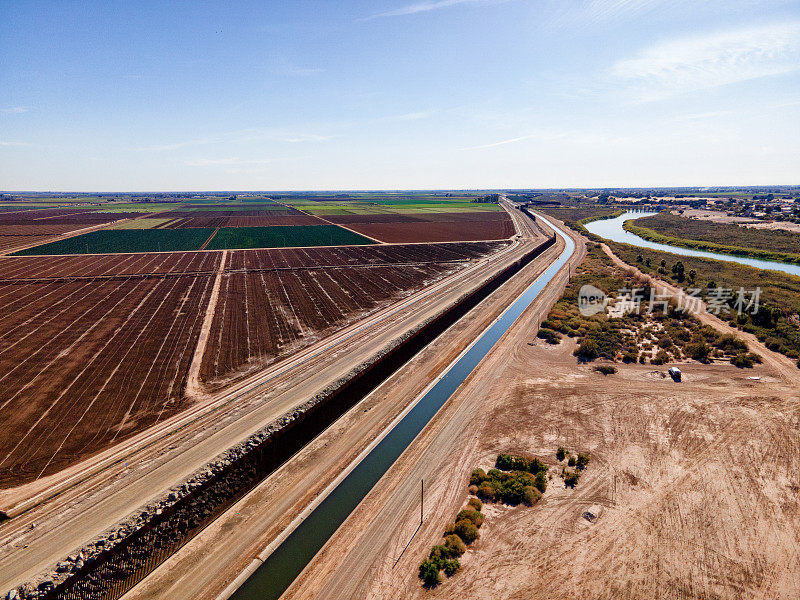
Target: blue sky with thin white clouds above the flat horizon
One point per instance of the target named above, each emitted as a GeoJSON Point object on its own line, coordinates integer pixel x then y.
{"type": "Point", "coordinates": [398, 94]}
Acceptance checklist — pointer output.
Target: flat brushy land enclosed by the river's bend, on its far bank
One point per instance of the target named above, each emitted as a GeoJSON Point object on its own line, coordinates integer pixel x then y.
{"type": "Point", "coordinates": [726, 238]}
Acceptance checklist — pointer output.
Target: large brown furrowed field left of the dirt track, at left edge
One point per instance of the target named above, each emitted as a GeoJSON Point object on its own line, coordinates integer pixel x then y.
{"type": "Point", "coordinates": [86, 362]}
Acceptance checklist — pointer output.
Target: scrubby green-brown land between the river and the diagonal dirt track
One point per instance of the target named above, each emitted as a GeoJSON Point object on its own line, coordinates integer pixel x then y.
{"type": "Point", "coordinates": [776, 323]}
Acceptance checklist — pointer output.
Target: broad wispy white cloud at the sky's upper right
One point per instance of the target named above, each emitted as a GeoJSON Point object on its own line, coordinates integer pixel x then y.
{"type": "Point", "coordinates": [709, 61]}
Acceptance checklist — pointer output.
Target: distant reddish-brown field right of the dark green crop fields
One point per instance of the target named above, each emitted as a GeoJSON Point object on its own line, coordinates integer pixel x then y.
{"type": "Point", "coordinates": [431, 227]}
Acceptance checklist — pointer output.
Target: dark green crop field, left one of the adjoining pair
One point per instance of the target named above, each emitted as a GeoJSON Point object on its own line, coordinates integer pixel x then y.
{"type": "Point", "coordinates": [125, 240]}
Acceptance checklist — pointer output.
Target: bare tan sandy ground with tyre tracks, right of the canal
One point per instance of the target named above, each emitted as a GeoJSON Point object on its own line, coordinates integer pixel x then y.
{"type": "Point", "coordinates": [696, 485]}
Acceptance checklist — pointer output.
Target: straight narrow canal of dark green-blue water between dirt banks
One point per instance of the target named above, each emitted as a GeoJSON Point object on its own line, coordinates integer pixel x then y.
{"type": "Point", "coordinates": [286, 562]}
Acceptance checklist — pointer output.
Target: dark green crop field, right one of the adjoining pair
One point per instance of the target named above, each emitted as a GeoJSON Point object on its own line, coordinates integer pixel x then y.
{"type": "Point", "coordinates": [280, 237]}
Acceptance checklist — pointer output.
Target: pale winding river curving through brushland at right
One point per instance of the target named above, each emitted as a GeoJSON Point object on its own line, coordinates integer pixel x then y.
{"type": "Point", "coordinates": [611, 229]}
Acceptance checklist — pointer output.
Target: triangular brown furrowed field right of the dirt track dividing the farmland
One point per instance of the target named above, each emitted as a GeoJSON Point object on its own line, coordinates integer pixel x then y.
{"type": "Point", "coordinates": [274, 302]}
